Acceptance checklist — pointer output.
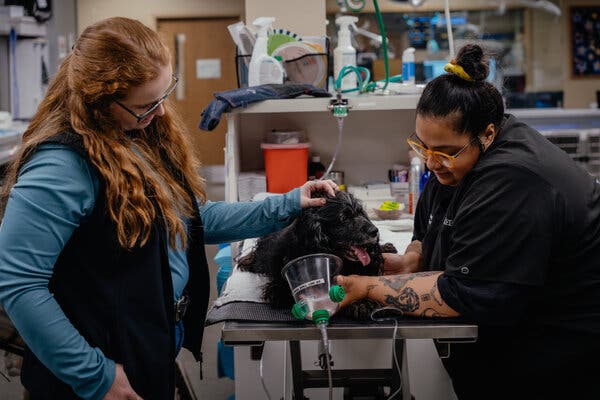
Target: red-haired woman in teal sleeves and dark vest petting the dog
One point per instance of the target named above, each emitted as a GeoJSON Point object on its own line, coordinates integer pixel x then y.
{"type": "Point", "coordinates": [102, 264]}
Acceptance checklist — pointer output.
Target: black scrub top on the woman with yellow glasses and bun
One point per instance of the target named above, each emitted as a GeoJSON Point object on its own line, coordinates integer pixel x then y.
{"type": "Point", "coordinates": [519, 243]}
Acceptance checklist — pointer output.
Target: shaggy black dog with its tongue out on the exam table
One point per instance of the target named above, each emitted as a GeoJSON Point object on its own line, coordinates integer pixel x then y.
{"type": "Point", "coordinates": [340, 227]}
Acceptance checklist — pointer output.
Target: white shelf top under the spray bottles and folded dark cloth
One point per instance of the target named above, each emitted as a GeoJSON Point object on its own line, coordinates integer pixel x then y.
{"type": "Point", "coordinates": [316, 104]}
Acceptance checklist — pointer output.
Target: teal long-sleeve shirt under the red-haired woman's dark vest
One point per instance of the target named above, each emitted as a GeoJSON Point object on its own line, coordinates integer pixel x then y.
{"type": "Point", "coordinates": [55, 191]}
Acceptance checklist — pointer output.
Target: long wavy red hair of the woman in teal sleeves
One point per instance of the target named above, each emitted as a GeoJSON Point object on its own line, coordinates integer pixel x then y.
{"type": "Point", "coordinates": [109, 58]}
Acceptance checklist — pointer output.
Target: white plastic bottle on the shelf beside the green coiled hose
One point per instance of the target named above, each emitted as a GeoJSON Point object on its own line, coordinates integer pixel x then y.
{"type": "Point", "coordinates": [344, 54]}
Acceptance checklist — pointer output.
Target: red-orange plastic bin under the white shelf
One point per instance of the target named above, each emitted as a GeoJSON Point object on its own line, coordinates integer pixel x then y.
{"type": "Point", "coordinates": [286, 166]}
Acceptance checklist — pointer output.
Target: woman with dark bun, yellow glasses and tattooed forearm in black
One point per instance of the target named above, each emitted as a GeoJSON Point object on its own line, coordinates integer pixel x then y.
{"type": "Point", "coordinates": [507, 235]}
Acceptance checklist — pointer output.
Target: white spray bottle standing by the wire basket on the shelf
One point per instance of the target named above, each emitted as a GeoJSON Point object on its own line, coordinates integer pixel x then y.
{"type": "Point", "coordinates": [263, 68]}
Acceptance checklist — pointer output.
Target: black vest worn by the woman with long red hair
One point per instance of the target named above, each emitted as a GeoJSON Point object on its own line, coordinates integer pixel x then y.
{"type": "Point", "coordinates": [122, 300]}
